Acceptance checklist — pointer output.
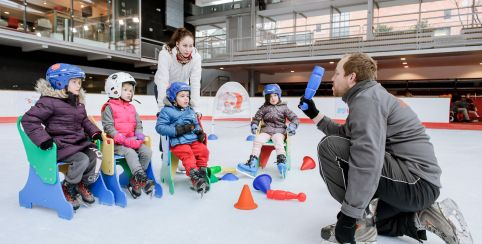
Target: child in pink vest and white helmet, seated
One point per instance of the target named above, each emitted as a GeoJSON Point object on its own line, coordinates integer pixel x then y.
{"type": "Point", "coordinates": [122, 123]}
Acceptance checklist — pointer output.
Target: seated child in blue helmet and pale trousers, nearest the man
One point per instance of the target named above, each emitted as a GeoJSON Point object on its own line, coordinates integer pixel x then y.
{"type": "Point", "coordinates": [273, 113]}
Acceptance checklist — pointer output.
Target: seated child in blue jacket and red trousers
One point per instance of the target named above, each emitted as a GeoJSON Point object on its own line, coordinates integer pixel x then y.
{"type": "Point", "coordinates": [179, 122]}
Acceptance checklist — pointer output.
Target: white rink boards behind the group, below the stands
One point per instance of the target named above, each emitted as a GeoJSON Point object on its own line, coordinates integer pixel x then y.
{"type": "Point", "coordinates": [428, 109]}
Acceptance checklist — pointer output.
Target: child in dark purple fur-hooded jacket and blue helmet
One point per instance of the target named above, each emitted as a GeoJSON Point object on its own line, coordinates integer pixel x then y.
{"type": "Point", "coordinates": [59, 116]}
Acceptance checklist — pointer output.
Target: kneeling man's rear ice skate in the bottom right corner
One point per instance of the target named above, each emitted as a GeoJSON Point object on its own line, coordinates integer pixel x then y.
{"type": "Point", "coordinates": [446, 221]}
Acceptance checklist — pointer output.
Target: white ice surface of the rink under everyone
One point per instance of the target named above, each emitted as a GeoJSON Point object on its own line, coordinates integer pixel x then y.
{"type": "Point", "coordinates": [185, 218]}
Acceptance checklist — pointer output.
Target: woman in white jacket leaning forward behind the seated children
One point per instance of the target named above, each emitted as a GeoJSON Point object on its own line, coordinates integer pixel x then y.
{"type": "Point", "coordinates": [179, 61]}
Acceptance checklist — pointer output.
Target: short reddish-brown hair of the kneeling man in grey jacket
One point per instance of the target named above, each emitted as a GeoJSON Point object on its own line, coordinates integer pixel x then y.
{"type": "Point", "coordinates": [362, 65]}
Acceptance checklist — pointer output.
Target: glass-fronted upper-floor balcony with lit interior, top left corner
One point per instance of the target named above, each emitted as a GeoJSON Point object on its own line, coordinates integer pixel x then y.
{"type": "Point", "coordinates": [106, 24]}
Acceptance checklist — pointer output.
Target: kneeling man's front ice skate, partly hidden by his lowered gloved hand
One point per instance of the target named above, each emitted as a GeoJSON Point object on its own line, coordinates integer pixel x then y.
{"type": "Point", "coordinates": [365, 233]}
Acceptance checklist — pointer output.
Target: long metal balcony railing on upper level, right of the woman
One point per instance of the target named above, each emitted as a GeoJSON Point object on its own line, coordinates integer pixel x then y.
{"type": "Point", "coordinates": [399, 32]}
